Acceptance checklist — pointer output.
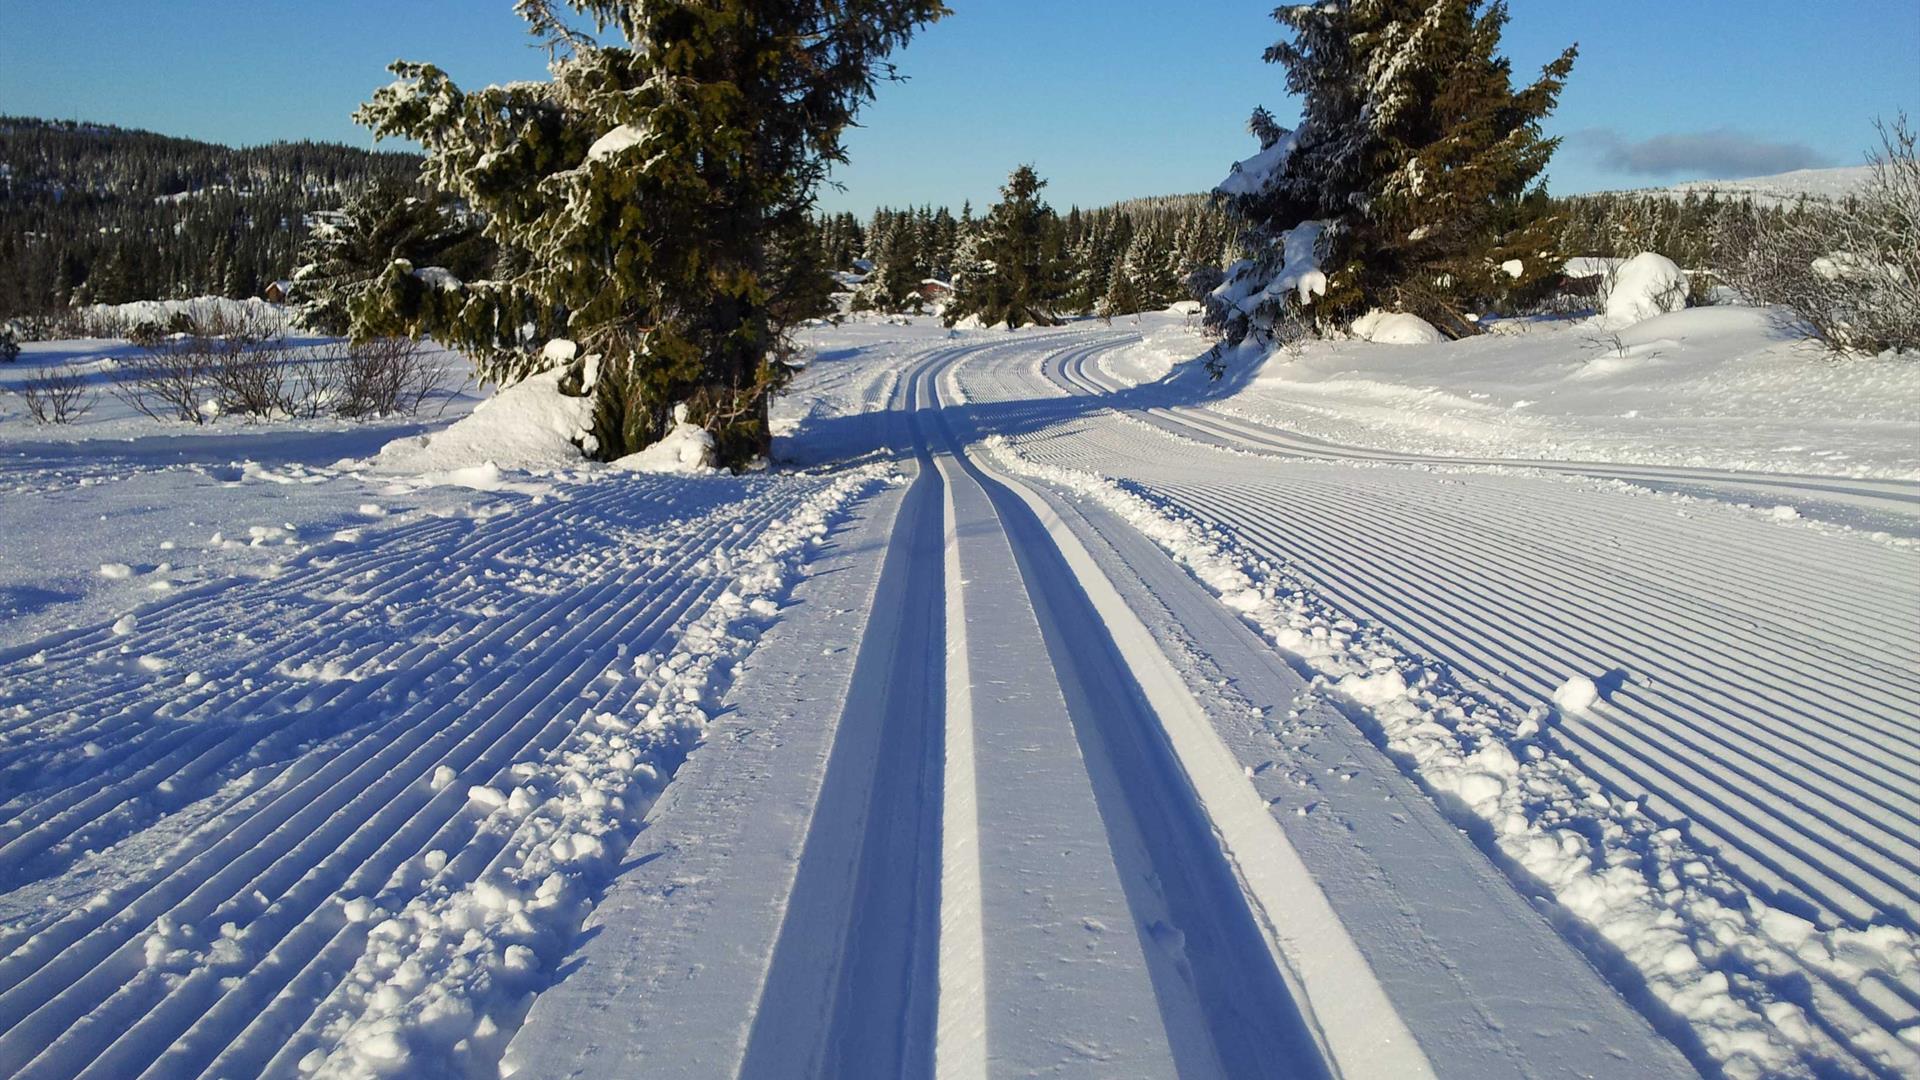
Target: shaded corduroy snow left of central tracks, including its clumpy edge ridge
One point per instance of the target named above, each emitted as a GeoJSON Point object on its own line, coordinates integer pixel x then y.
{"type": "Point", "coordinates": [345, 822]}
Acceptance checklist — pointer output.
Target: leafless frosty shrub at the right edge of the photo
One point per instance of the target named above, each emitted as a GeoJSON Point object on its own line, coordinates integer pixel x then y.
{"type": "Point", "coordinates": [1848, 274]}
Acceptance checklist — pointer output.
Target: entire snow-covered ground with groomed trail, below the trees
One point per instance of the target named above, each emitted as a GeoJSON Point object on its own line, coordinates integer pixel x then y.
{"type": "Point", "coordinates": [1049, 708]}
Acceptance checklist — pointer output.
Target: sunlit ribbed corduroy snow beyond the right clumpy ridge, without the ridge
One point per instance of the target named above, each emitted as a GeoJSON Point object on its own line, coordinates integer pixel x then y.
{"type": "Point", "coordinates": [1800, 773]}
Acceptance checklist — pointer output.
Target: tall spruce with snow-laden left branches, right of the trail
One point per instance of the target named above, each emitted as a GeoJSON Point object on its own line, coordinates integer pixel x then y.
{"type": "Point", "coordinates": [1412, 182]}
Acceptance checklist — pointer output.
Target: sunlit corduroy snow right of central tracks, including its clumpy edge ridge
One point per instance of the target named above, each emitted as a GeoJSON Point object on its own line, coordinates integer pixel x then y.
{"type": "Point", "coordinates": [1725, 818]}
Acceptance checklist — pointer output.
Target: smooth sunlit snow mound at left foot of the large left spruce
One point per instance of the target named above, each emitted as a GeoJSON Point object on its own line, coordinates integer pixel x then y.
{"type": "Point", "coordinates": [529, 426]}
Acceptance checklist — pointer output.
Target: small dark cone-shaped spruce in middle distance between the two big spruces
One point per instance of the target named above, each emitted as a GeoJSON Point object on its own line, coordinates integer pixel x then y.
{"type": "Point", "coordinates": [1017, 272]}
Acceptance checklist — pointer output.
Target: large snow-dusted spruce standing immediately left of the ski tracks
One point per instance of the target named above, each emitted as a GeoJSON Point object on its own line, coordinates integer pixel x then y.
{"type": "Point", "coordinates": [635, 197]}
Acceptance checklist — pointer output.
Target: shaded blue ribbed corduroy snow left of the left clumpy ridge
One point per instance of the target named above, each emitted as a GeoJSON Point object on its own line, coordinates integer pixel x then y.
{"type": "Point", "coordinates": [339, 810]}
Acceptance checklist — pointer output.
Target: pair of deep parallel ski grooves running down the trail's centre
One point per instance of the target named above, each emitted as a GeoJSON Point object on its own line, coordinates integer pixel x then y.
{"type": "Point", "coordinates": [1224, 1004]}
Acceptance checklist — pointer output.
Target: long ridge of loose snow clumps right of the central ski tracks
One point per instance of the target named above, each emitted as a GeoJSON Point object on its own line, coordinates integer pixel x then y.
{"type": "Point", "coordinates": [1717, 958]}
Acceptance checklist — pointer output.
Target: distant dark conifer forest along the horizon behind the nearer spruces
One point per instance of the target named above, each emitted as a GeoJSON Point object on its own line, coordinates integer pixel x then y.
{"type": "Point", "coordinates": [97, 214]}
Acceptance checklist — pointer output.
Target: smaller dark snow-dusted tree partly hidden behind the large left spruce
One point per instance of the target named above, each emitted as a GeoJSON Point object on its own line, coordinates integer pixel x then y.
{"type": "Point", "coordinates": [343, 260]}
